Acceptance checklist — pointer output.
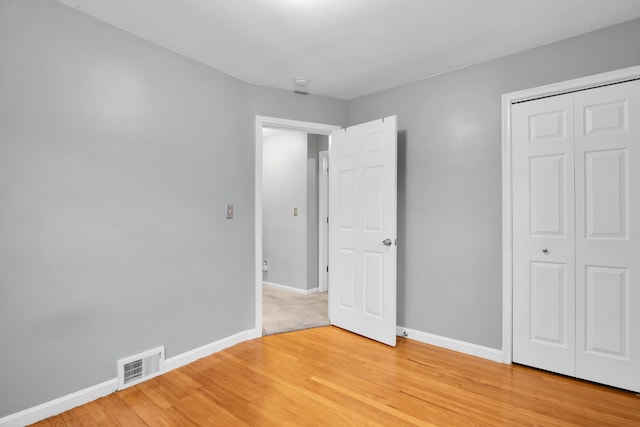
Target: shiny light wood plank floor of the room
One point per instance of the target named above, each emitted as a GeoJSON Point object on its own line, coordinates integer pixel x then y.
{"type": "Point", "coordinates": [329, 377]}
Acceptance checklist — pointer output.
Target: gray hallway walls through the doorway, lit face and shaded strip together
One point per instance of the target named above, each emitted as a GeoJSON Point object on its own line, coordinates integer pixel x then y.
{"type": "Point", "coordinates": [290, 179]}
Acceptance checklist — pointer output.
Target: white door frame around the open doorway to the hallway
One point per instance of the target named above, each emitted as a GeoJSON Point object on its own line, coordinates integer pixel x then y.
{"type": "Point", "coordinates": [261, 122]}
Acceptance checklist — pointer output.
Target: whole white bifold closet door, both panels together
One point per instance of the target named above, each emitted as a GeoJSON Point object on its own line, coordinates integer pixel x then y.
{"type": "Point", "coordinates": [576, 225]}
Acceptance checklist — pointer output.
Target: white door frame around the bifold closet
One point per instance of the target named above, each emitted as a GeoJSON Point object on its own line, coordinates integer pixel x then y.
{"type": "Point", "coordinates": [589, 82]}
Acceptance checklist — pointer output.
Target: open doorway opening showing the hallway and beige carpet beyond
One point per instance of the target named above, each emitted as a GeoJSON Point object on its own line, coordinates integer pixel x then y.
{"type": "Point", "coordinates": [292, 298]}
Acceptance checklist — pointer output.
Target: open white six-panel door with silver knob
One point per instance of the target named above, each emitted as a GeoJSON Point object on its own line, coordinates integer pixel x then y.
{"type": "Point", "coordinates": [362, 229]}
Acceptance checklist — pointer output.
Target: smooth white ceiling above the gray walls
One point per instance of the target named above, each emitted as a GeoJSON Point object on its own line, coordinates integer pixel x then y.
{"type": "Point", "coordinates": [349, 48]}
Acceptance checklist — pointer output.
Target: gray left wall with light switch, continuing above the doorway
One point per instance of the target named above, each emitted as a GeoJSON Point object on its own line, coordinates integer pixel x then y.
{"type": "Point", "coordinates": [116, 160]}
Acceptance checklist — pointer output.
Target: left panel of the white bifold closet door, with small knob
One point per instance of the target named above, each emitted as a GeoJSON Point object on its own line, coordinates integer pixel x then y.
{"type": "Point", "coordinates": [543, 231]}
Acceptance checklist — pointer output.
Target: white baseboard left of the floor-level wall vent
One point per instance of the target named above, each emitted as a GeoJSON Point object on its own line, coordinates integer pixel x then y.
{"type": "Point", "coordinates": [59, 405]}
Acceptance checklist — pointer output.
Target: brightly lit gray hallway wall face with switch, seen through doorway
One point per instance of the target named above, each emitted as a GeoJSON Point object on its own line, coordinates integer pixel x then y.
{"type": "Point", "coordinates": [284, 187]}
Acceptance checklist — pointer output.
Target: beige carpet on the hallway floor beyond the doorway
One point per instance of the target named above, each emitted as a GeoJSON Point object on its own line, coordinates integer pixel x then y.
{"type": "Point", "coordinates": [284, 311]}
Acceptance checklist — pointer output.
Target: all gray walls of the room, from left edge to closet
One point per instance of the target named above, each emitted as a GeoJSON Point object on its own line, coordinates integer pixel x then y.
{"type": "Point", "coordinates": [116, 160]}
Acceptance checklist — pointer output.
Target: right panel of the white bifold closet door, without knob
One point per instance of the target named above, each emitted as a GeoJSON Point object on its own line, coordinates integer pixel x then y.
{"type": "Point", "coordinates": [607, 139]}
